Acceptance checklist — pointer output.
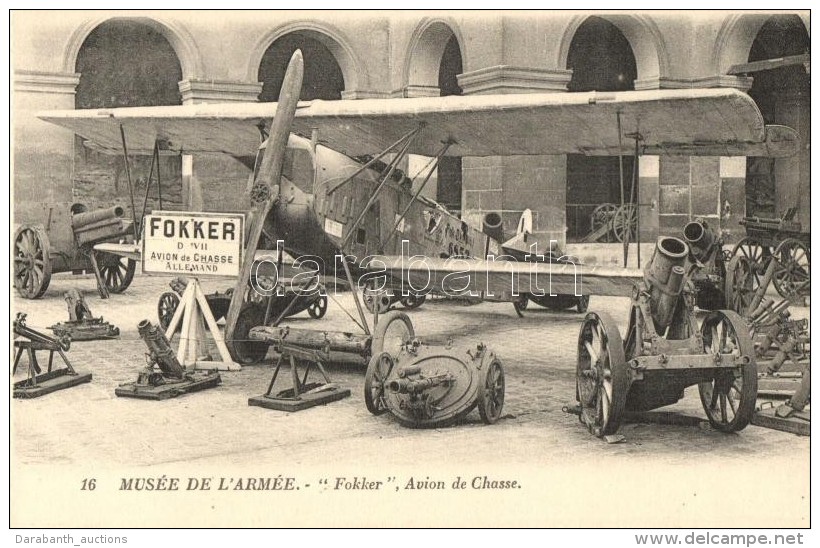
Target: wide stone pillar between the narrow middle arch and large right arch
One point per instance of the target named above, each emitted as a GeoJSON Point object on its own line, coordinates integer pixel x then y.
{"type": "Point", "coordinates": [510, 184]}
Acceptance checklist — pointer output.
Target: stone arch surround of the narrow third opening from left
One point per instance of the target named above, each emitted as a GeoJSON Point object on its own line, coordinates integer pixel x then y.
{"type": "Point", "coordinates": [422, 59]}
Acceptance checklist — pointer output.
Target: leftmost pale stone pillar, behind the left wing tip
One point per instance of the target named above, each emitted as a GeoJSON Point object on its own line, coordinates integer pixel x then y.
{"type": "Point", "coordinates": [43, 152]}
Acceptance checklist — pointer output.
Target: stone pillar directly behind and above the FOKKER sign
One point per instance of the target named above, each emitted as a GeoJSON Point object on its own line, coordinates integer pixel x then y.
{"type": "Point", "coordinates": [215, 182]}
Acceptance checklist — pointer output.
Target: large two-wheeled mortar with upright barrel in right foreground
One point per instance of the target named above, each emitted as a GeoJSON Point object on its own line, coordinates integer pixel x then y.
{"type": "Point", "coordinates": [665, 352]}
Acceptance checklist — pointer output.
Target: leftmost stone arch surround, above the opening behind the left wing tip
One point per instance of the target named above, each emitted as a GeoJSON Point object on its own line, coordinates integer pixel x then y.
{"type": "Point", "coordinates": [180, 39]}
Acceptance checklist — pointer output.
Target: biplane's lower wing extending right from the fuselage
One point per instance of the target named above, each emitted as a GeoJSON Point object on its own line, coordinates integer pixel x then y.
{"type": "Point", "coordinates": [501, 278]}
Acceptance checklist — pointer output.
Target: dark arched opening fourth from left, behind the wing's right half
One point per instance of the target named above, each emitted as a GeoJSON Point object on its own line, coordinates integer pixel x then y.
{"type": "Point", "coordinates": [601, 59]}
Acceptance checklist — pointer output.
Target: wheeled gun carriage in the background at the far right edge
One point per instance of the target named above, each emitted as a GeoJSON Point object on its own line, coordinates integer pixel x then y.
{"type": "Point", "coordinates": [783, 240]}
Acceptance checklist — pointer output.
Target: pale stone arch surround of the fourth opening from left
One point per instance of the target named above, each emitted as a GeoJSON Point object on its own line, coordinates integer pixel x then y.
{"type": "Point", "coordinates": [644, 38]}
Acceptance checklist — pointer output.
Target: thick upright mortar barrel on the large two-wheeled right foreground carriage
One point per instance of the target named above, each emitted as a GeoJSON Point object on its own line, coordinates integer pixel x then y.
{"type": "Point", "coordinates": [664, 274]}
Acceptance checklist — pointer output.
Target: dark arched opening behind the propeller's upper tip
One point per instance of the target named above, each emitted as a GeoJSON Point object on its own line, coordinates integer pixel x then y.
{"type": "Point", "coordinates": [323, 77]}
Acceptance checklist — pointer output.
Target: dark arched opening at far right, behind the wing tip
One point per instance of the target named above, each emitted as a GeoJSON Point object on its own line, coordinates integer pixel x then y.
{"type": "Point", "coordinates": [783, 96]}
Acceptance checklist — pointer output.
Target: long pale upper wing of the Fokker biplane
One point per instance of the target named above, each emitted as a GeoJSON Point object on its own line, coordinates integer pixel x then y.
{"type": "Point", "coordinates": [710, 122]}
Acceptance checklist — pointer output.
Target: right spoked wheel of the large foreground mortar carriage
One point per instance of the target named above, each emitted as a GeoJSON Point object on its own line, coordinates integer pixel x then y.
{"type": "Point", "coordinates": [729, 398]}
